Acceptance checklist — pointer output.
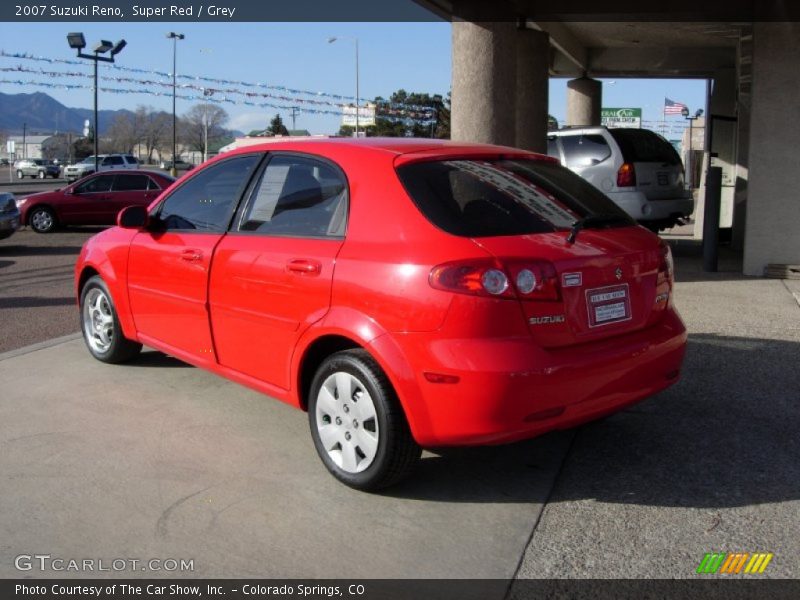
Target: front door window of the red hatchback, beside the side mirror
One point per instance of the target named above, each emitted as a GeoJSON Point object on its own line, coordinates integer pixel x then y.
{"type": "Point", "coordinates": [205, 202]}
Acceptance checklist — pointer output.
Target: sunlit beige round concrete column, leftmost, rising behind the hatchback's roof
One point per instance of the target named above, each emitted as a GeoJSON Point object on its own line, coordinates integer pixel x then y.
{"type": "Point", "coordinates": [484, 82]}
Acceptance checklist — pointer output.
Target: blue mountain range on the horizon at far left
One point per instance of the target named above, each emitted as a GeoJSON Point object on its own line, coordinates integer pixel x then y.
{"type": "Point", "coordinates": [44, 115]}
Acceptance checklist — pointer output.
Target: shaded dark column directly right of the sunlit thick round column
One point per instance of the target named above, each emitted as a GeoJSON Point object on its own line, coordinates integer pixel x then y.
{"type": "Point", "coordinates": [533, 73]}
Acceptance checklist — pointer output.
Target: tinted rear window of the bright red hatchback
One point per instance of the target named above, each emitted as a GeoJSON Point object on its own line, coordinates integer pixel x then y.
{"type": "Point", "coordinates": [496, 197]}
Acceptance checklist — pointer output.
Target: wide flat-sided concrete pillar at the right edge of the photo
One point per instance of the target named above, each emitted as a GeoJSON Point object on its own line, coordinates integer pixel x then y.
{"type": "Point", "coordinates": [773, 210]}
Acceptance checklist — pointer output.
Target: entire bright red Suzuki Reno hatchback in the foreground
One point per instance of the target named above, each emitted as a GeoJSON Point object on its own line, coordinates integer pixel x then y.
{"type": "Point", "coordinates": [406, 293]}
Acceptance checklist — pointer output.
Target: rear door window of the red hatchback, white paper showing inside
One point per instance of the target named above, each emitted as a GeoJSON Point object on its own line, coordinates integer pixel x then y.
{"type": "Point", "coordinates": [297, 196]}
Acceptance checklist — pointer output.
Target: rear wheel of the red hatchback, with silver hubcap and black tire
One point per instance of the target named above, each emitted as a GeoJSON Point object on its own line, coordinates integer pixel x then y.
{"type": "Point", "coordinates": [357, 424]}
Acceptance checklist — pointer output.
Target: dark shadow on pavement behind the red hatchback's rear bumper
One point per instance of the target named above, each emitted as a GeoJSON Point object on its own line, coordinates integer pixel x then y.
{"type": "Point", "coordinates": [725, 436]}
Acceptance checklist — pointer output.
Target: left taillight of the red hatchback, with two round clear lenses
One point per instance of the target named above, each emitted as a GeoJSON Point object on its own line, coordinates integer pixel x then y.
{"type": "Point", "coordinates": [523, 279]}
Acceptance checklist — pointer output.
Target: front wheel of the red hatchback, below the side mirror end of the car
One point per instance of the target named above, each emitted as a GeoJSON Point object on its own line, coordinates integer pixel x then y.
{"type": "Point", "coordinates": [100, 325]}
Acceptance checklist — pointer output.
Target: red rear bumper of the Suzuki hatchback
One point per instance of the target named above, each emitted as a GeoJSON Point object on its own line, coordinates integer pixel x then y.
{"type": "Point", "coordinates": [510, 389]}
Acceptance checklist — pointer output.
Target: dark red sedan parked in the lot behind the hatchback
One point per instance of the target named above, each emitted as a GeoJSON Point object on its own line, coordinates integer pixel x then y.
{"type": "Point", "coordinates": [93, 200]}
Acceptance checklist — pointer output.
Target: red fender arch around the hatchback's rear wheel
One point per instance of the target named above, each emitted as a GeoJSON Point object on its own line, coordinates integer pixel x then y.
{"type": "Point", "coordinates": [363, 330]}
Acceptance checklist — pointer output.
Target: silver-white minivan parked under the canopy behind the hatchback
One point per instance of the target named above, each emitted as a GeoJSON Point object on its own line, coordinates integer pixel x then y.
{"type": "Point", "coordinates": [637, 168]}
